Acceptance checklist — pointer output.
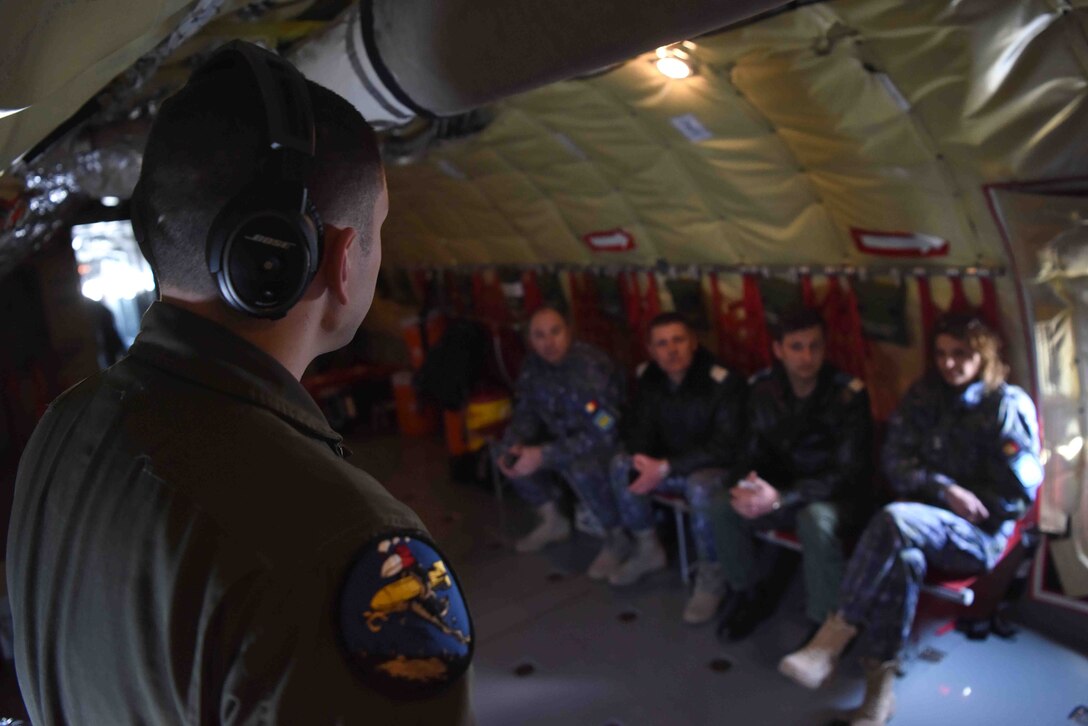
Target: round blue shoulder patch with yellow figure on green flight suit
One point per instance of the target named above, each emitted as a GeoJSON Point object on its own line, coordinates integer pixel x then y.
{"type": "Point", "coordinates": [403, 619]}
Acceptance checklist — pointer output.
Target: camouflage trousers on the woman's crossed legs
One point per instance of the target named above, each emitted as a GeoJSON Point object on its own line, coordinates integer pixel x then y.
{"type": "Point", "coordinates": [885, 575]}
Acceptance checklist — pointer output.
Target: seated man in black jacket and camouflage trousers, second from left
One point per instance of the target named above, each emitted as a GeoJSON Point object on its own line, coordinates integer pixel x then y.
{"type": "Point", "coordinates": [683, 435]}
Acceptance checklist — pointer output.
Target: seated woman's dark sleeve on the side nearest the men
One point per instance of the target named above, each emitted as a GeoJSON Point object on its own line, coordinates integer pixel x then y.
{"type": "Point", "coordinates": [908, 475]}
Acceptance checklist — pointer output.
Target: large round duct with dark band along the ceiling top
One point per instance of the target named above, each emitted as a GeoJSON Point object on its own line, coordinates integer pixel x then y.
{"type": "Point", "coordinates": [398, 59]}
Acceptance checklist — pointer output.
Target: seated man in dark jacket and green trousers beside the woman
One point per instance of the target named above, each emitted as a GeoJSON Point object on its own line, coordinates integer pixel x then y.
{"type": "Point", "coordinates": [805, 466]}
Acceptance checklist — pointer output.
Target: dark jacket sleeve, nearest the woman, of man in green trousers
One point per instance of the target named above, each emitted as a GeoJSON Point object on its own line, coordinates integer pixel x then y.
{"type": "Point", "coordinates": [850, 469]}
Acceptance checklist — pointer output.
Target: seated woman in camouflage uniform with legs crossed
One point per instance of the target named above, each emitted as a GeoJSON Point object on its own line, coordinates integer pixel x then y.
{"type": "Point", "coordinates": [963, 457]}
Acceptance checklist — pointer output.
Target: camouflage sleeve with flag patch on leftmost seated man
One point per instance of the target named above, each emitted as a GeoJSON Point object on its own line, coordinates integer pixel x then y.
{"type": "Point", "coordinates": [597, 420]}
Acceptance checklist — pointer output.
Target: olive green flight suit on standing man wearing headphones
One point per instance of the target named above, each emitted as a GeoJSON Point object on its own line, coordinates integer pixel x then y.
{"type": "Point", "coordinates": [183, 530]}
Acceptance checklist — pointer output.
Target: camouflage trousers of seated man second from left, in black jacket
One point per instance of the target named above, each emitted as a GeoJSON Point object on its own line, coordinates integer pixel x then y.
{"type": "Point", "coordinates": [699, 488]}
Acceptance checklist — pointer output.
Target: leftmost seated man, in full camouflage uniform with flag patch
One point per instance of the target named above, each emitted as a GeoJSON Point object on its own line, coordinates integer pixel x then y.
{"type": "Point", "coordinates": [565, 424]}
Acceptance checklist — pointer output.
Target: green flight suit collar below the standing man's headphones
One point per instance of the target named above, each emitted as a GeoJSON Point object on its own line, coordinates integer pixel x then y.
{"type": "Point", "coordinates": [196, 349]}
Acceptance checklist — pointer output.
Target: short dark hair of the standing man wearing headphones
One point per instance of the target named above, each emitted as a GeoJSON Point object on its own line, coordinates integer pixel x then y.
{"type": "Point", "coordinates": [205, 147]}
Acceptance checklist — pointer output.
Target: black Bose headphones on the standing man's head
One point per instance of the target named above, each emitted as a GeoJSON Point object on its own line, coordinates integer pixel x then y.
{"type": "Point", "coordinates": [265, 244]}
